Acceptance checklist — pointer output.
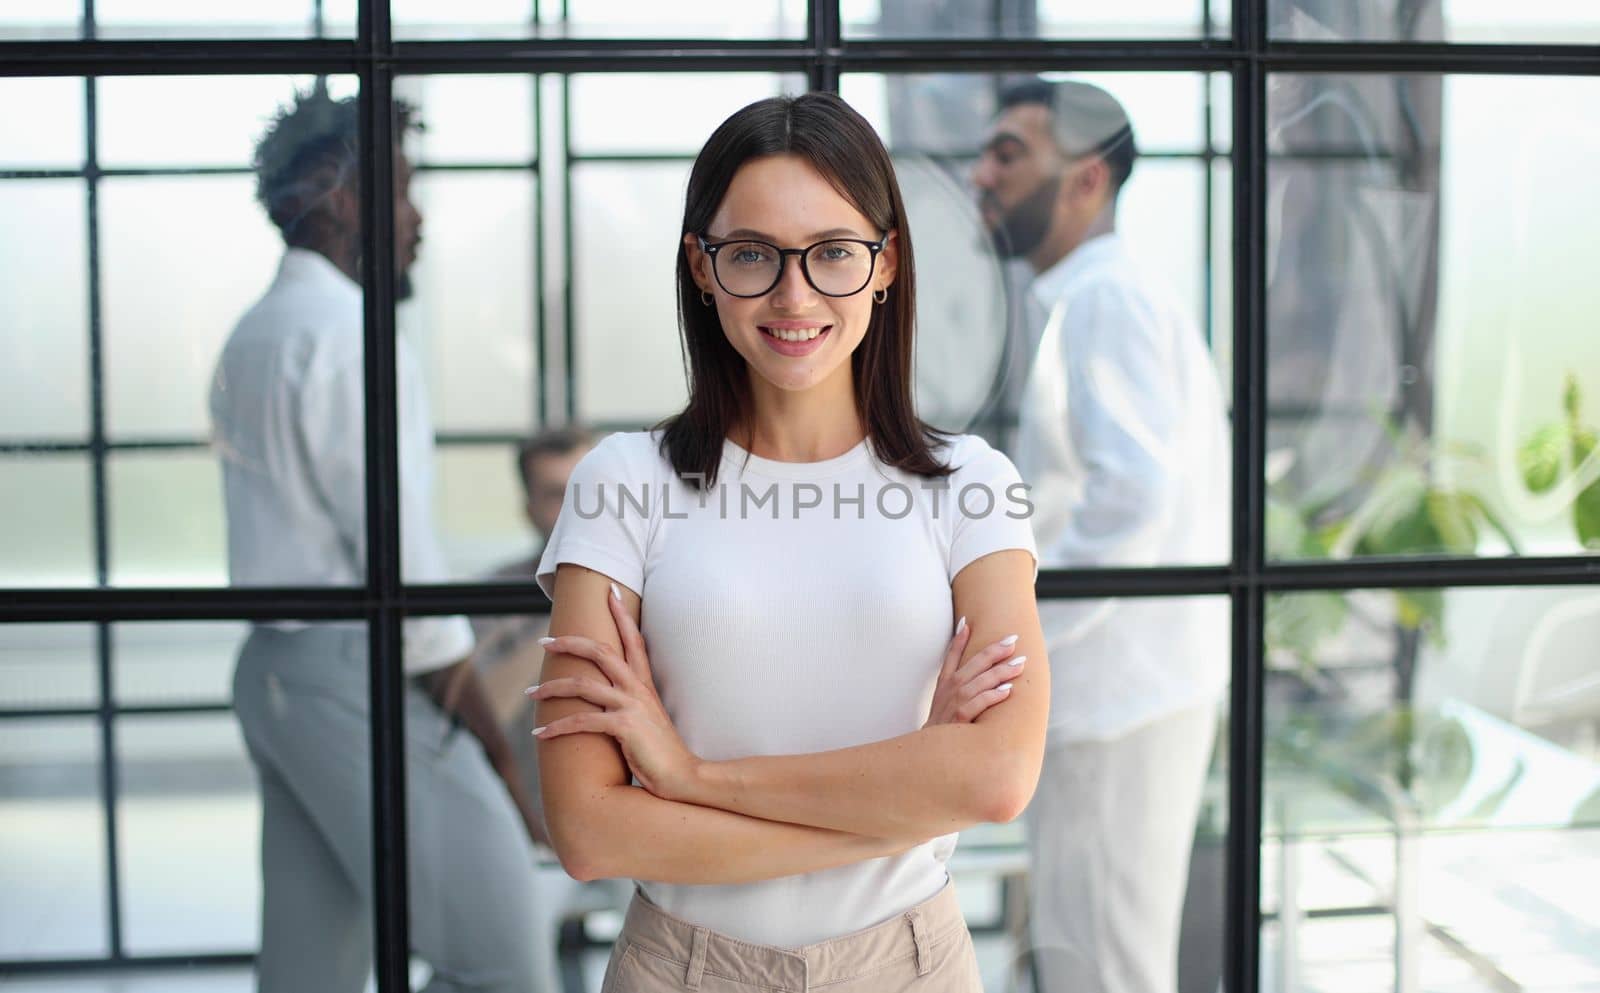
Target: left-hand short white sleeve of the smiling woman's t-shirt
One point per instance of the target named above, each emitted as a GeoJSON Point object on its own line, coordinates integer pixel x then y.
{"type": "Point", "coordinates": [606, 517]}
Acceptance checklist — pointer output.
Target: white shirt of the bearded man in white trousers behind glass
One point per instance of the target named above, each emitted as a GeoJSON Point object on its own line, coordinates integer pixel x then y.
{"type": "Point", "coordinates": [1124, 439]}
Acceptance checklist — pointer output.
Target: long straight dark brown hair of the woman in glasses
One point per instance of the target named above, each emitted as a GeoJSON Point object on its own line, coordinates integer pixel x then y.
{"type": "Point", "coordinates": [842, 146]}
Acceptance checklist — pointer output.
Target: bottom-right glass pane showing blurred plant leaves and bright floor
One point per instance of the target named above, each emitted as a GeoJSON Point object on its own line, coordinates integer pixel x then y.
{"type": "Point", "coordinates": [1433, 789]}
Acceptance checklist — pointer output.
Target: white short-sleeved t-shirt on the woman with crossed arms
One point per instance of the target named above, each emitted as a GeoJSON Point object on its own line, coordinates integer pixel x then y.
{"type": "Point", "coordinates": [798, 608]}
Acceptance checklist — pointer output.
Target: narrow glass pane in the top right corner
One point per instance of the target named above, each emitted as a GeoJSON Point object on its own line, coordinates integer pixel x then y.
{"type": "Point", "coordinates": [1468, 22]}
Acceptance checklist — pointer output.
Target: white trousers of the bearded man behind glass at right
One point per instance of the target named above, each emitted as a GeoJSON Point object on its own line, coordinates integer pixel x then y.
{"type": "Point", "coordinates": [1110, 834]}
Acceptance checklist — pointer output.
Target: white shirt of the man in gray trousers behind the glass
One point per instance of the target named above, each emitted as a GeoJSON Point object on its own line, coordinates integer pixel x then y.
{"type": "Point", "coordinates": [289, 425]}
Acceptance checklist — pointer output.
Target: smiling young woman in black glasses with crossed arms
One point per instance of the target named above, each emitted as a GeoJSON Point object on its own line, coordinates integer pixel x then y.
{"type": "Point", "coordinates": [785, 770]}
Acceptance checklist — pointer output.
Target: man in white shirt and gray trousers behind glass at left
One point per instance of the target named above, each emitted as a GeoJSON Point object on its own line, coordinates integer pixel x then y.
{"type": "Point", "coordinates": [287, 407]}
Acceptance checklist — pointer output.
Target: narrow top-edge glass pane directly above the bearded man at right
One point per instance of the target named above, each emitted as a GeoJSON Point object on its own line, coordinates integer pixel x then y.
{"type": "Point", "coordinates": [1044, 20]}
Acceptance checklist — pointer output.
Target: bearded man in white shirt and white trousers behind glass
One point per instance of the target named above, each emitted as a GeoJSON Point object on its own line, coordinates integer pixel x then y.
{"type": "Point", "coordinates": [1124, 439]}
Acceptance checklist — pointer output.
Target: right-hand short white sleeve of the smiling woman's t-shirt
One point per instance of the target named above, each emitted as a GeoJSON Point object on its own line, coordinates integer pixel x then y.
{"type": "Point", "coordinates": [990, 506]}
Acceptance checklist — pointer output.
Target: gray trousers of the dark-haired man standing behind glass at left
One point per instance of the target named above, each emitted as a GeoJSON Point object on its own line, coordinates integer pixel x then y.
{"type": "Point", "coordinates": [302, 701]}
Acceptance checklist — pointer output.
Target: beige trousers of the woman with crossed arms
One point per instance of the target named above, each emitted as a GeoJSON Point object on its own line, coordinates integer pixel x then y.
{"type": "Point", "coordinates": [924, 951]}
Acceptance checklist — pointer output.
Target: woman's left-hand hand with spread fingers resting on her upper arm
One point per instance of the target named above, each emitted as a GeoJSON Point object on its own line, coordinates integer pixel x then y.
{"type": "Point", "coordinates": [633, 711]}
